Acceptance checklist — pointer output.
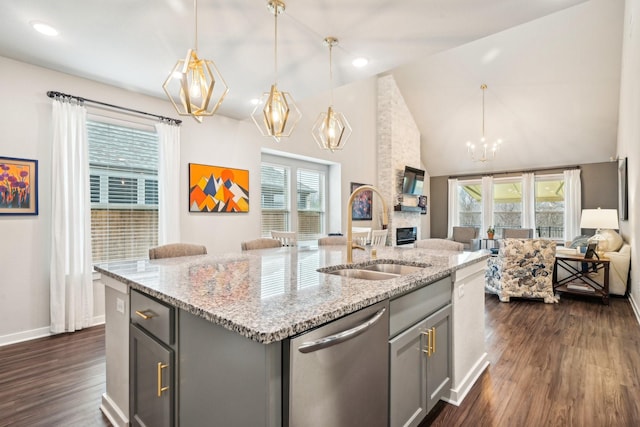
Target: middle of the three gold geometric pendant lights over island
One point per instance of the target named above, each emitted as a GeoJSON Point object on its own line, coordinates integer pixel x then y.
{"type": "Point", "coordinates": [280, 114]}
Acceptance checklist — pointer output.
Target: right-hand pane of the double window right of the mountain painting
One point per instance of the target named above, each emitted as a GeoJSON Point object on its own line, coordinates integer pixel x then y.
{"type": "Point", "coordinates": [310, 194]}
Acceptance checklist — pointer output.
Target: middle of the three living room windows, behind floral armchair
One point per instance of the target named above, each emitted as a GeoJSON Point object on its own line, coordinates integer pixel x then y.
{"type": "Point", "coordinates": [507, 204]}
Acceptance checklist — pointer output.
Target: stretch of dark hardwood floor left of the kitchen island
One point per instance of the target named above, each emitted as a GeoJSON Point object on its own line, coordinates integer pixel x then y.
{"type": "Point", "coordinates": [55, 381]}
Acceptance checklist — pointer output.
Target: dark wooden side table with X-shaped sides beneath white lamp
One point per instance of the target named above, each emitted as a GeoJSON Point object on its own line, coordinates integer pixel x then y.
{"type": "Point", "coordinates": [579, 281]}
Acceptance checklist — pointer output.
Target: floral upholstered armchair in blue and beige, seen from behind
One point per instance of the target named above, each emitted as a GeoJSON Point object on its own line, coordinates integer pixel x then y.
{"type": "Point", "coordinates": [523, 268]}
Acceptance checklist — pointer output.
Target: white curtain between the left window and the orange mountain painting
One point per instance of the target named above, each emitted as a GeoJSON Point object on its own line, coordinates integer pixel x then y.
{"type": "Point", "coordinates": [169, 183]}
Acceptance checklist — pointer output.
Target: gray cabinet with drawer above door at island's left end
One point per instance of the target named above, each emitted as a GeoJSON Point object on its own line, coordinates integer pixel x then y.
{"type": "Point", "coordinates": [152, 391]}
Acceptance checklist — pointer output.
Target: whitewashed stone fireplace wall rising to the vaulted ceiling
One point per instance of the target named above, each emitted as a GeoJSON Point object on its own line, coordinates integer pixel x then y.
{"type": "Point", "coordinates": [398, 146]}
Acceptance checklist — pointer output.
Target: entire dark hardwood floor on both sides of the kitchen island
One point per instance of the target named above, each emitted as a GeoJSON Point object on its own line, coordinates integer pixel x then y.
{"type": "Point", "coordinates": [576, 363]}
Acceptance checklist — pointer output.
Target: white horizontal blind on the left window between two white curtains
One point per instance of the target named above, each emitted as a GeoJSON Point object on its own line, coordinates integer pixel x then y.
{"type": "Point", "coordinates": [123, 168]}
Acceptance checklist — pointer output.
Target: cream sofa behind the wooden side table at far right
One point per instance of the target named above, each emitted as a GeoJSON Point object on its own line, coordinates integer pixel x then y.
{"type": "Point", "coordinates": [619, 254]}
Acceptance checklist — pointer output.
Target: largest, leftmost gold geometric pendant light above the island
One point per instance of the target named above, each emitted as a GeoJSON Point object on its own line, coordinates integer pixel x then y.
{"type": "Point", "coordinates": [194, 82]}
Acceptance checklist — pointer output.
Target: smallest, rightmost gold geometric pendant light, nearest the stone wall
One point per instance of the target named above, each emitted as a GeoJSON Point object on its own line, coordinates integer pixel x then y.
{"type": "Point", "coordinates": [331, 129]}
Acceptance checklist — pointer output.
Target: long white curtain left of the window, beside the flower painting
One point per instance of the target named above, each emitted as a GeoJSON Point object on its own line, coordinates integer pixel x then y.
{"type": "Point", "coordinates": [71, 285]}
